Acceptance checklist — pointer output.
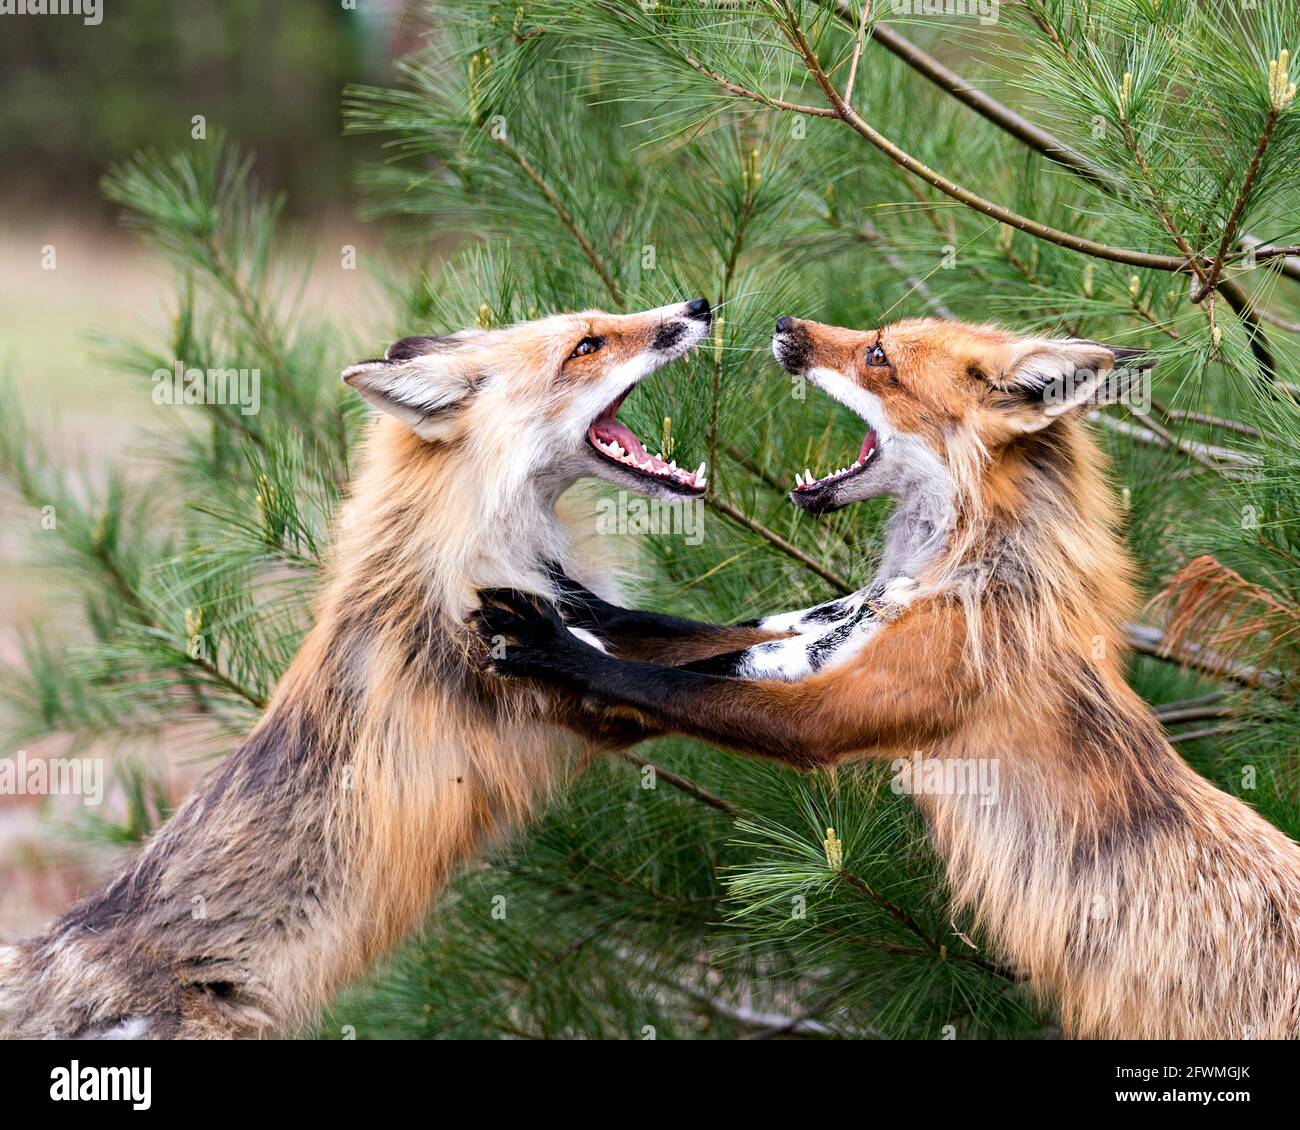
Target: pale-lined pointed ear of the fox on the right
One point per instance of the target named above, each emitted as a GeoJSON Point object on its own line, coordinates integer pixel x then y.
{"type": "Point", "coordinates": [1045, 380]}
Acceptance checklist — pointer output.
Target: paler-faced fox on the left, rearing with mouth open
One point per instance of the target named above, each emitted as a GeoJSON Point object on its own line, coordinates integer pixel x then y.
{"type": "Point", "coordinates": [385, 757]}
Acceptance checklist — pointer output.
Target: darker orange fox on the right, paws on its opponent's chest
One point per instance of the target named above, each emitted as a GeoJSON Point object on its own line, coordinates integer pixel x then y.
{"type": "Point", "coordinates": [1129, 891]}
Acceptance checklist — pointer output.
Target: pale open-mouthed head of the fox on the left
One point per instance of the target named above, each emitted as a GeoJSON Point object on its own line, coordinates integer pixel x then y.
{"type": "Point", "coordinates": [540, 400]}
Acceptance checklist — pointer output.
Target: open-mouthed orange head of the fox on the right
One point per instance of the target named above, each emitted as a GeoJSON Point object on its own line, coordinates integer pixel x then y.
{"type": "Point", "coordinates": [942, 400]}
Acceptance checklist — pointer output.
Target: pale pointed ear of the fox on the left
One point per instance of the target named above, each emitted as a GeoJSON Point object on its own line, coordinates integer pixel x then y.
{"type": "Point", "coordinates": [423, 382]}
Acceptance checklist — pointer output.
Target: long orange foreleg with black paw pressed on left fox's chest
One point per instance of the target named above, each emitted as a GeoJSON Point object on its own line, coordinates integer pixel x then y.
{"type": "Point", "coordinates": [908, 689]}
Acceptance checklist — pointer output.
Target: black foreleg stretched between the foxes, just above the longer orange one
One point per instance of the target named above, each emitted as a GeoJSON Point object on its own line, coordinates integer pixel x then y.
{"type": "Point", "coordinates": [649, 637]}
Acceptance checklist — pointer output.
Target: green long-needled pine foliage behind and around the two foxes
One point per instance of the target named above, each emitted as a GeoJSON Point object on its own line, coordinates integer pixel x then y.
{"type": "Point", "coordinates": [626, 155]}
